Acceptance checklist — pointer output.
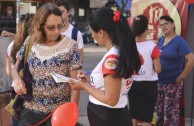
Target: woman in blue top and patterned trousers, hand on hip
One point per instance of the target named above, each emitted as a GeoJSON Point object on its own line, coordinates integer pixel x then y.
{"type": "Point", "coordinates": [174, 52]}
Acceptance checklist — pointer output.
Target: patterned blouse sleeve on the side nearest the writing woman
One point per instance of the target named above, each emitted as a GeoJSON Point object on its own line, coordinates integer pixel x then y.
{"type": "Point", "coordinates": [75, 62]}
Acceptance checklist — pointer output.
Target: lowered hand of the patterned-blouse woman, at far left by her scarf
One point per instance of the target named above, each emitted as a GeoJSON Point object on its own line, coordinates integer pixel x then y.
{"type": "Point", "coordinates": [19, 86]}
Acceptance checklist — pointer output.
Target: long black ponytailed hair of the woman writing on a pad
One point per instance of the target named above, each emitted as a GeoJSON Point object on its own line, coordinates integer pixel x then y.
{"type": "Point", "coordinates": [119, 31]}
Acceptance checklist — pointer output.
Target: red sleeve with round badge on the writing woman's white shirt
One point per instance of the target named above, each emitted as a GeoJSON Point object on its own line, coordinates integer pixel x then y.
{"type": "Point", "coordinates": [110, 64]}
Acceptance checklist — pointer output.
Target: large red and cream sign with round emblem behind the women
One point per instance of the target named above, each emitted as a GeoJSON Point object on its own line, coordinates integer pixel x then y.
{"type": "Point", "coordinates": [154, 9]}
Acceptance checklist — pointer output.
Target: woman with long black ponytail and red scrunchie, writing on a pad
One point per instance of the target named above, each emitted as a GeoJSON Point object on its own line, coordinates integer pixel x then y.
{"type": "Point", "coordinates": [110, 80]}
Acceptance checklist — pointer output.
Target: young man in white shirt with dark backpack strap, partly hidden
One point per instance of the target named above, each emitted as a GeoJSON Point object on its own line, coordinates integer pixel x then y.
{"type": "Point", "coordinates": [69, 30]}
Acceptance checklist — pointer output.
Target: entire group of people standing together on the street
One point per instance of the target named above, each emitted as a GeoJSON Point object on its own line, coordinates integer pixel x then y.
{"type": "Point", "coordinates": [133, 69]}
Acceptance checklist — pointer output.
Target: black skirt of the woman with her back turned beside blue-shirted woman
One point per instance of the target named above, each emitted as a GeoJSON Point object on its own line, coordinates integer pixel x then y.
{"type": "Point", "coordinates": [142, 99]}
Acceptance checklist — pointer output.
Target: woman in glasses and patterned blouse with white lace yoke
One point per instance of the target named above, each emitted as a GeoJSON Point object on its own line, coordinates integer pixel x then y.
{"type": "Point", "coordinates": [50, 52]}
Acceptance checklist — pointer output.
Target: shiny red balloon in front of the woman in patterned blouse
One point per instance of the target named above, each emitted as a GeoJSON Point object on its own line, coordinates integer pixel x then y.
{"type": "Point", "coordinates": [65, 115]}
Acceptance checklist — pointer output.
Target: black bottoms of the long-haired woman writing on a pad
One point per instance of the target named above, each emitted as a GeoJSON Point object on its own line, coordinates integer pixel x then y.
{"type": "Point", "coordinates": [103, 116]}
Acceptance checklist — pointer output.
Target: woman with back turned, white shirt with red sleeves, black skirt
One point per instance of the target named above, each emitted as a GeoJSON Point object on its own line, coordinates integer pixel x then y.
{"type": "Point", "coordinates": [143, 93]}
